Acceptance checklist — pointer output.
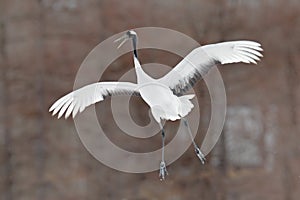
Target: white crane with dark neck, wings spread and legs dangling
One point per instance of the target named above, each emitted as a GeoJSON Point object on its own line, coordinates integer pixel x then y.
{"type": "Point", "coordinates": [165, 96]}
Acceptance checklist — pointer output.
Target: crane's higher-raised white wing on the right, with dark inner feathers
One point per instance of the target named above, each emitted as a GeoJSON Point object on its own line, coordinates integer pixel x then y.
{"type": "Point", "coordinates": [197, 63]}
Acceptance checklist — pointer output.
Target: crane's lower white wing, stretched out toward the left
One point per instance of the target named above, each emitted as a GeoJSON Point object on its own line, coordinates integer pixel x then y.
{"type": "Point", "coordinates": [79, 99]}
